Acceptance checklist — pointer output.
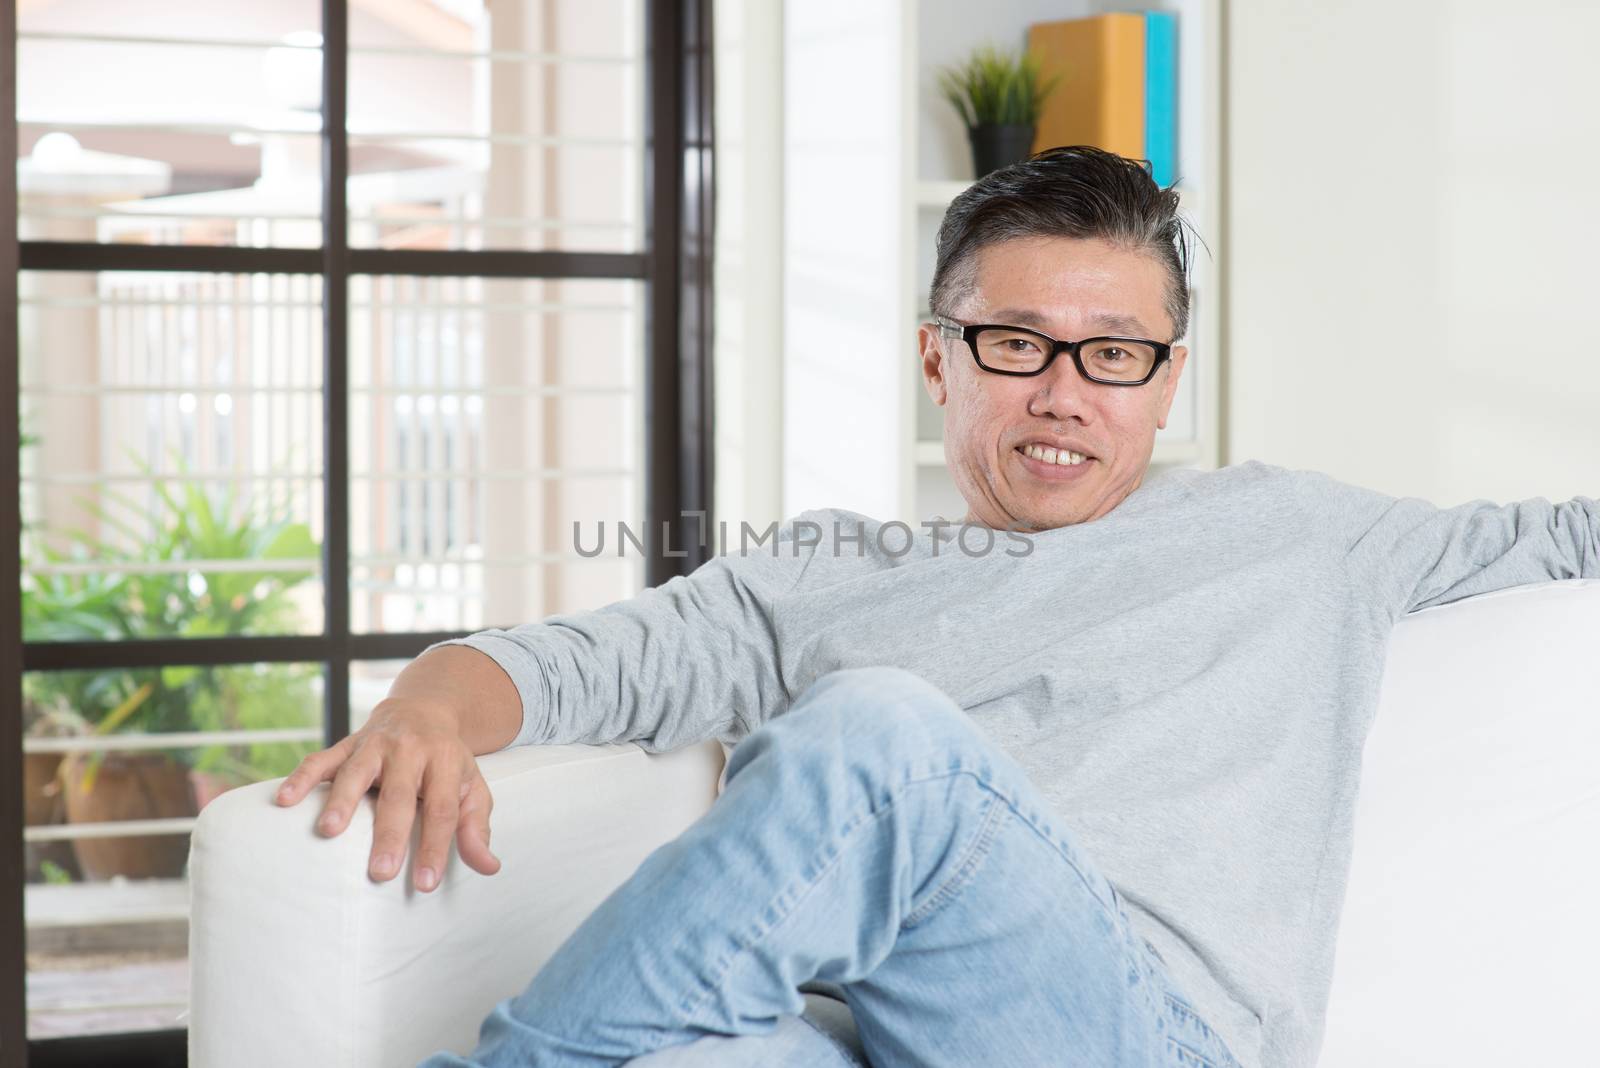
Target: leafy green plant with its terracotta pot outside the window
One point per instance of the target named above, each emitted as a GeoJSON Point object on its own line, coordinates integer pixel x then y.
{"type": "Point", "coordinates": [116, 600]}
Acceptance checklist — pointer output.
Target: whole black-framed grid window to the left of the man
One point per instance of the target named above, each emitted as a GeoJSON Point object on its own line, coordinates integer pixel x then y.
{"type": "Point", "coordinates": [330, 322]}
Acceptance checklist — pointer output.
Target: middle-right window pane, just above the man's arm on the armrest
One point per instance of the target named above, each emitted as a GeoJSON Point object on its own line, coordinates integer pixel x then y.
{"type": "Point", "coordinates": [487, 418]}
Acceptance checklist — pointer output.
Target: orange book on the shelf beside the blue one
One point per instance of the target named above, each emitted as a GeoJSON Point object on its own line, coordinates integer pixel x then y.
{"type": "Point", "coordinates": [1100, 94]}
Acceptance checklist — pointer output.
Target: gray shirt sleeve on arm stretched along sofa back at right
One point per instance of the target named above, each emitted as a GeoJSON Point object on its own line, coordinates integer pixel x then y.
{"type": "Point", "coordinates": [1418, 556]}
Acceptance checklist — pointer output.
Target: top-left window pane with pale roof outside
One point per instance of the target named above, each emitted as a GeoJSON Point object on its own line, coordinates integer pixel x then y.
{"type": "Point", "coordinates": [159, 161]}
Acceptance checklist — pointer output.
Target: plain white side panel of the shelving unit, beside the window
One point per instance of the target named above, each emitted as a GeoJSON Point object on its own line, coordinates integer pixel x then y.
{"type": "Point", "coordinates": [846, 333]}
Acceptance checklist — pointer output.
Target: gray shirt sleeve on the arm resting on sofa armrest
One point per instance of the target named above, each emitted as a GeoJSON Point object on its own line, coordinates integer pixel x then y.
{"type": "Point", "coordinates": [692, 660]}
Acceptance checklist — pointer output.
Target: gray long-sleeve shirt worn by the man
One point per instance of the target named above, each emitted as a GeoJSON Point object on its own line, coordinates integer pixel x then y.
{"type": "Point", "coordinates": [1190, 682]}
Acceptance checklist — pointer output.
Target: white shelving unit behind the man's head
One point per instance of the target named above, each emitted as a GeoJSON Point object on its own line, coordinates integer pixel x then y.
{"type": "Point", "coordinates": [873, 157]}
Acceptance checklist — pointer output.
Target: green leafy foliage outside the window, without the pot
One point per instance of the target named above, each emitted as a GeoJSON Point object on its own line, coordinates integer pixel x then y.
{"type": "Point", "coordinates": [116, 602]}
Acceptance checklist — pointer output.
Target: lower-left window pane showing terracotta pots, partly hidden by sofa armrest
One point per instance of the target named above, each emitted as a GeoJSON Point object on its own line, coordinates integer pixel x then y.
{"type": "Point", "coordinates": [116, 767]}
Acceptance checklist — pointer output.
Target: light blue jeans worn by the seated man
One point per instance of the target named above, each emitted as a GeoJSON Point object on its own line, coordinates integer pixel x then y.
{"type": "Point", "coordinates": [873, 840]}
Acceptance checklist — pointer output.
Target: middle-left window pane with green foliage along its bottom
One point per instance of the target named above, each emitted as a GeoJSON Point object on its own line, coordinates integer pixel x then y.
{"type": "Point", "coordinates": [172, 456]}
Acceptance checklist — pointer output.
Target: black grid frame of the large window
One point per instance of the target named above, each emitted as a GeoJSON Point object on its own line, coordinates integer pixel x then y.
{"type": "Point", "coordinates": [678, 273]}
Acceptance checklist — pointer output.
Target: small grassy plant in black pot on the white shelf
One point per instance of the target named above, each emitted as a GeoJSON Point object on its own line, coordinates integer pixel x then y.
{"type": "Point", "coordinates": [999, 97]}
